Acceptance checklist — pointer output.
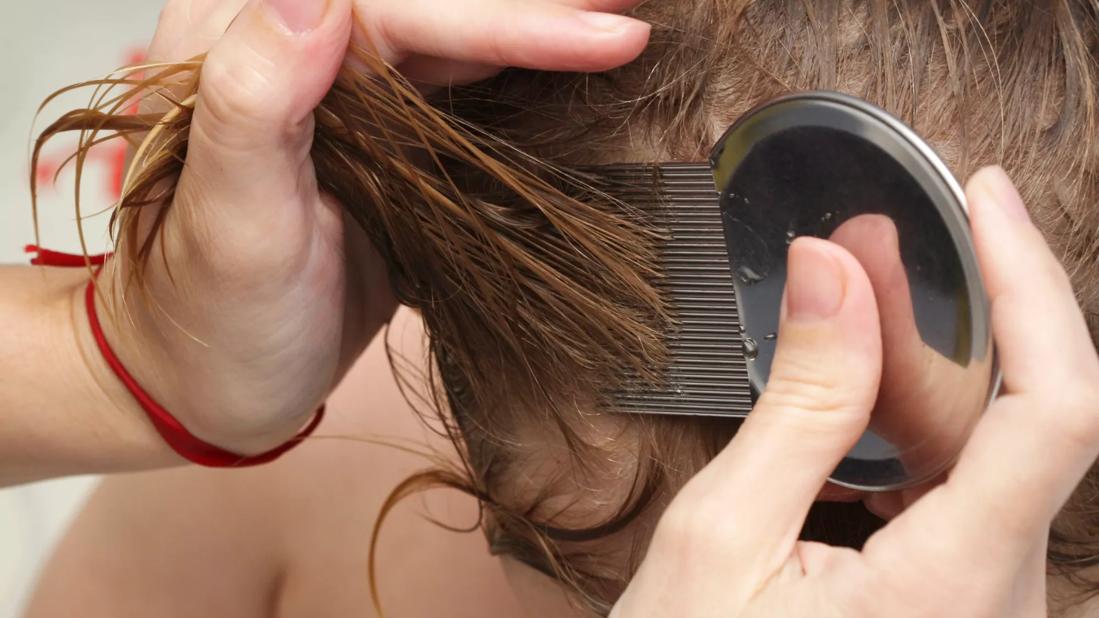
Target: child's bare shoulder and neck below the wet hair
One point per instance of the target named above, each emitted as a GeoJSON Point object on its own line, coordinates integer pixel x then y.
{"type": "Point", "coordinates": [288, 539]}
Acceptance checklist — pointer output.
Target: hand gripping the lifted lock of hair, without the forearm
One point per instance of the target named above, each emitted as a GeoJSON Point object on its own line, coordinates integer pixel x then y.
{"type": "Point", "coordinates": [272, 293]}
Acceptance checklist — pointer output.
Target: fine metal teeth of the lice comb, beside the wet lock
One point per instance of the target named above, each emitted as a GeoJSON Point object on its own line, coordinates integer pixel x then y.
{"type": "Point", "coordinates": [707, 373]}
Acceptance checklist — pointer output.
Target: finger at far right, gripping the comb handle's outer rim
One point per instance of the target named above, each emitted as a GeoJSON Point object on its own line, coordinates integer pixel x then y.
{"type": "Point", "coordinates": [1034, 446]}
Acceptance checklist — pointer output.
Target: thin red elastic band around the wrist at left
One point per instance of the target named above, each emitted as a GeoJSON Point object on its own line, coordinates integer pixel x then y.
{"type": "Point", "coordinates": [174, 434]}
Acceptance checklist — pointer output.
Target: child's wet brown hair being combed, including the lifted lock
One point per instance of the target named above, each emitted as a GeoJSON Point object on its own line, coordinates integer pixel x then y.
{"type": "Point", "coordinates": [539, 292]}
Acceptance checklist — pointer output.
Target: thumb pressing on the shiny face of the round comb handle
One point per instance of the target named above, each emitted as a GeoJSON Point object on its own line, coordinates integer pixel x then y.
{"type": "Point", "coordinates": [824, 381]}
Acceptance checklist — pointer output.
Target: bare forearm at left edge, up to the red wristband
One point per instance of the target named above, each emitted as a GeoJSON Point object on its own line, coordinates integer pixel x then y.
{"type": "Point", "coordinates": [64, 412]}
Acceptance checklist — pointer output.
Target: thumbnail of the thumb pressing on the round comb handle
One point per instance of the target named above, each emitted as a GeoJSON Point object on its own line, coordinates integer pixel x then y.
{"type": "Point", "coordinates": [815, 283]}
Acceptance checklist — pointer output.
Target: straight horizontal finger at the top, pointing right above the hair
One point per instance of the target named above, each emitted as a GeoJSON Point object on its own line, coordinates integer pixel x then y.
{"type": "Point", "coordinates": [538, 35]}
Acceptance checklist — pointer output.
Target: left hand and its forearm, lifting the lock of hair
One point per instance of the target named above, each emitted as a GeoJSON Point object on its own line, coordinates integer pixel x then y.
{"type": "Point", "coordinates": [273, 295]}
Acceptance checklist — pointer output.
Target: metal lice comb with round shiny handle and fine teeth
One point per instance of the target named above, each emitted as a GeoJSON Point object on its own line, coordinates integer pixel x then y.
{"type": "Point", "coordinates": [831, 167]}
